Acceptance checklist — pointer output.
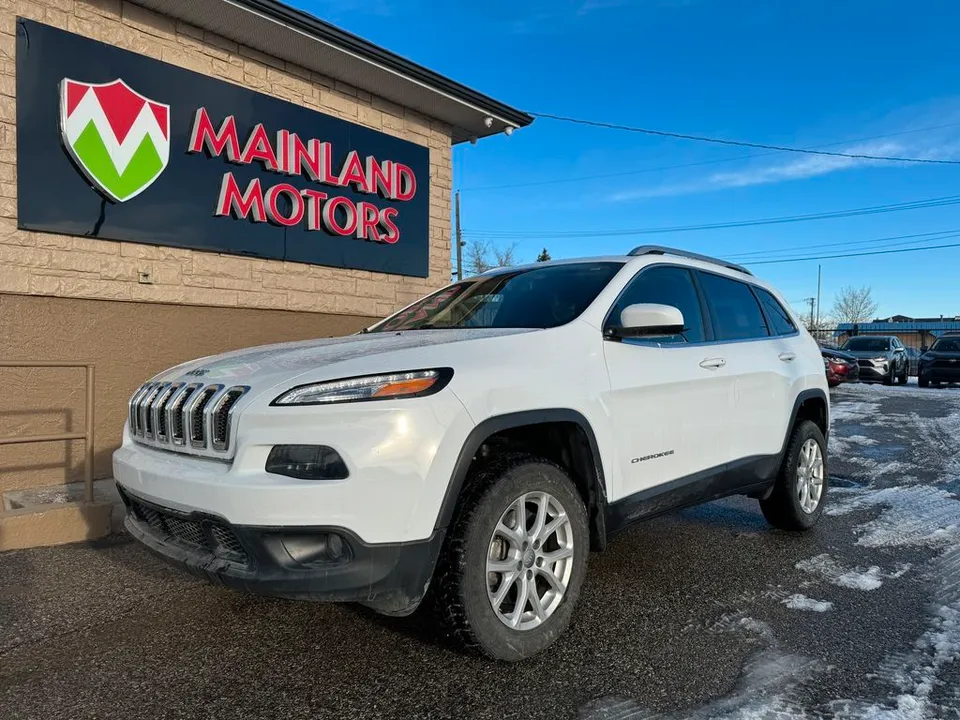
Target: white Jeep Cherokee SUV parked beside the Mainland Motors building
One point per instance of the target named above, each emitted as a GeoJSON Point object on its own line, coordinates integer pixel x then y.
{"type": "Point", "coordinates": [482, 441]}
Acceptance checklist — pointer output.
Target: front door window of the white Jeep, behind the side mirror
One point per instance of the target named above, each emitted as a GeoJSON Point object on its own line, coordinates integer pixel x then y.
{"type": "Point", "coordinates": [666, 286]}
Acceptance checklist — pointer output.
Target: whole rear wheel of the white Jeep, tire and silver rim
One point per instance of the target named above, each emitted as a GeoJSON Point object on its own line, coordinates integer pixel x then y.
{"type": "Point", "coordinates": [796, 502]}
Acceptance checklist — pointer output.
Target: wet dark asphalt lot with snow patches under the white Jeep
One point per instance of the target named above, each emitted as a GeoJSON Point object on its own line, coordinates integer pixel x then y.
{"type": "Point", "coordinates": [706, 613]}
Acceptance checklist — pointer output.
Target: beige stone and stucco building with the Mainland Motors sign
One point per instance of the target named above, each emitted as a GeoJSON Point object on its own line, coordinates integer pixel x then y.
{"type": "Point", "coordinates": [179, 178]}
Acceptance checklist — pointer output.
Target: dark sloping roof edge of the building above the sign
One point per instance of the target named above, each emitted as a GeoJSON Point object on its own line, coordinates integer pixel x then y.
{"type": "Point", "coordinates": [307, 23]}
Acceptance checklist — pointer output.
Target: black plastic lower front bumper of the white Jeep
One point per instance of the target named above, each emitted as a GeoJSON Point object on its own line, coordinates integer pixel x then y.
{"type": "Point", "coordinates": [303, 563]}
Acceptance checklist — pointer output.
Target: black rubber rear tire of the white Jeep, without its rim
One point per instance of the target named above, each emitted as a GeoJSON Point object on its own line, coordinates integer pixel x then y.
{"type": "Point", "coordinates": [782, 508]}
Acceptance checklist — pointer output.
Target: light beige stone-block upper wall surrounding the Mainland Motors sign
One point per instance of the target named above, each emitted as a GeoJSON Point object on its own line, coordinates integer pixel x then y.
{"type": "Point", "coordinates": [62, 266]}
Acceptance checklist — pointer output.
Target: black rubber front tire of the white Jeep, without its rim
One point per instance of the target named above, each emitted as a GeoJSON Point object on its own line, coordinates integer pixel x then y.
{"type": "Point", "coordinates": [460, 590]}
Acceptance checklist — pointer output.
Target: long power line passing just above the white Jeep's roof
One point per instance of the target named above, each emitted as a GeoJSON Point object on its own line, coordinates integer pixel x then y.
{"type": "Point", "coordinates": [563, 234]}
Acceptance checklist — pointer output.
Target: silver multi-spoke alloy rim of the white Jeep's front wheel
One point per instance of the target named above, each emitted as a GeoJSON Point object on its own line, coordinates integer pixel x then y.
{"type": "Point", "coordinates": [529, 560]}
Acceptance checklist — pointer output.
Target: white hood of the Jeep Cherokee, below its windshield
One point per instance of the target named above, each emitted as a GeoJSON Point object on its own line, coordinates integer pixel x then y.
{"type": "Point", "coordinates": [267, 365]}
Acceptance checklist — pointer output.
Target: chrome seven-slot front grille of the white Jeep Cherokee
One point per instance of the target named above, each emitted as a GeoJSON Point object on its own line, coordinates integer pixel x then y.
{"type": "Point", "coordinates": [179, 416]}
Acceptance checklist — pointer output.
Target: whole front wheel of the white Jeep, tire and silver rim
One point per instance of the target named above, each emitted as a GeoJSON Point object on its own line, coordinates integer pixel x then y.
{"type": "Point", "coordinates": [515, 559]}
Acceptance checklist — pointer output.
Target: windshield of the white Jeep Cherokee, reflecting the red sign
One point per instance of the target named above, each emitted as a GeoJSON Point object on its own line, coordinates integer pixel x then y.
{"type": "Point", "coordinates": [535, 297]}
